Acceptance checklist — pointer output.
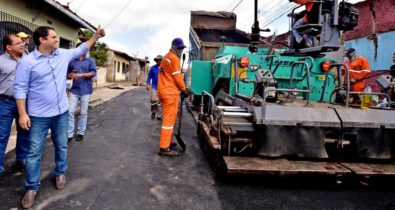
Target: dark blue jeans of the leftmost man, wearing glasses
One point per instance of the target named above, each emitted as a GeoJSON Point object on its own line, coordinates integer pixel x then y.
{"type": "Point", "coordinates": [9, 112]}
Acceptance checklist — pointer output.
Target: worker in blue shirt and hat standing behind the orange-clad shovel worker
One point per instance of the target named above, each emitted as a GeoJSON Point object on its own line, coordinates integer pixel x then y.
{"type": "Point", "coordinates": [152, 85]}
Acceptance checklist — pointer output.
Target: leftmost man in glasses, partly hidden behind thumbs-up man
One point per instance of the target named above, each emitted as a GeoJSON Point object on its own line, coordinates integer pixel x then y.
{"type": "Point", "coordinates": [14, 48]}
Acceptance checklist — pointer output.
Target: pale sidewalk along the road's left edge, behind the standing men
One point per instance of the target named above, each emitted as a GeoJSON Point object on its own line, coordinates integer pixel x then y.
{"type": "Point", "coordinates": [101, 94]}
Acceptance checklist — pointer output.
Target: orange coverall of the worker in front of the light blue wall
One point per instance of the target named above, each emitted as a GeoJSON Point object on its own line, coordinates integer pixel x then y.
{"type": "Point", "coordinates": [359, 68]}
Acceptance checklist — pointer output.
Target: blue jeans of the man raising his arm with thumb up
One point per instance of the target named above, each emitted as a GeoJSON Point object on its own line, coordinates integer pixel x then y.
{"type": "Point", "coordinates": [38, 133]}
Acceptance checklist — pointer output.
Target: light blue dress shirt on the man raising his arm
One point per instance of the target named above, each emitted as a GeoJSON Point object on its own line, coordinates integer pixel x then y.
{"type": "Point", "coordinates": [42, 80]}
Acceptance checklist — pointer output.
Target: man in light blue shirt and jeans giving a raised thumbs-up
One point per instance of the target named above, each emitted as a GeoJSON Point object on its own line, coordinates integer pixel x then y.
{"type": "Point", "coordinates": [41, 80]}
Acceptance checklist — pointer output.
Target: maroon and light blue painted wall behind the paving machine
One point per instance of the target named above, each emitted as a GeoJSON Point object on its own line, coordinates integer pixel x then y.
{"type": "Point", "coordinates": [374, 37]}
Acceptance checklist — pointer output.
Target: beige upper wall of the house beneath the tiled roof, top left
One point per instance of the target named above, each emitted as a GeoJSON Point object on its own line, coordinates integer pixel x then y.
{"type": "Point", "coordinates": [28, 10]}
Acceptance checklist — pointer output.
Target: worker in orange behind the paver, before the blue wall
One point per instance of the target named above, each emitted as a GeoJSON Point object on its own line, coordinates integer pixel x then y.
{"type": "Point", "coordinates": [359, 69]}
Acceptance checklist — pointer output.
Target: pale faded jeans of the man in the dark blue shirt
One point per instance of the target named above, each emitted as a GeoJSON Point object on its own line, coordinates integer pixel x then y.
{"type": "Point", "coordinates": [83, 118]}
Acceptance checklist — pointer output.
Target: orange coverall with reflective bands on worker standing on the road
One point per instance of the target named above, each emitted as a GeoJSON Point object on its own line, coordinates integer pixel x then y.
{"type": "Point", "coordinates": [170, 83]}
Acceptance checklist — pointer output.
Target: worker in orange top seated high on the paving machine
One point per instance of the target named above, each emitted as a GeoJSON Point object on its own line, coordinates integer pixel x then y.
{"type": "Point", "coordinates": [302, 21]}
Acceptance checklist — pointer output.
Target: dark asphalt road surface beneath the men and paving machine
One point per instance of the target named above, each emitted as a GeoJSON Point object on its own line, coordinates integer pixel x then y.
{"type": "Point", "coordinates": [116, 166]}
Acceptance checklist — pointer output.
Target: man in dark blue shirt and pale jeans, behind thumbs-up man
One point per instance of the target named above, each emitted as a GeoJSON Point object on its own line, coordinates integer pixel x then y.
{"type": "Point", "coordinates": [81, 71]}
